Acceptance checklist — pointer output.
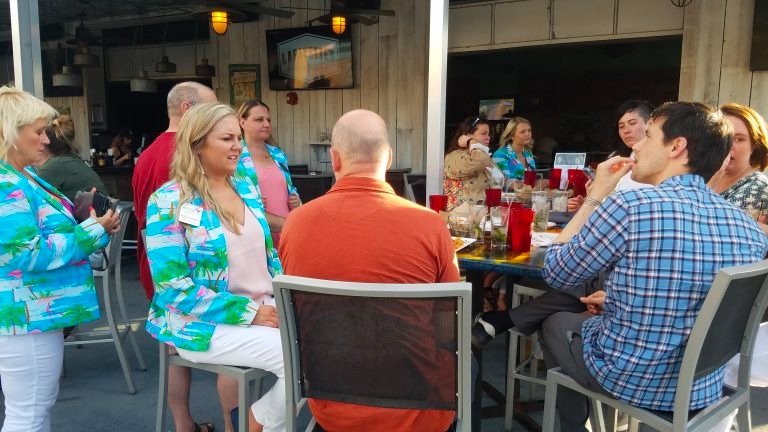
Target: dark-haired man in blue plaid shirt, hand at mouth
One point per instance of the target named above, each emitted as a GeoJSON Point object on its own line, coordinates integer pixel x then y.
{"type": "Point", "coordinates": [661, 247]}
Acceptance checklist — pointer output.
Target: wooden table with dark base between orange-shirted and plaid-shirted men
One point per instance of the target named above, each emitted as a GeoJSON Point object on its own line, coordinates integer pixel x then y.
{"type": "Point", "coordinates": [477, 259]}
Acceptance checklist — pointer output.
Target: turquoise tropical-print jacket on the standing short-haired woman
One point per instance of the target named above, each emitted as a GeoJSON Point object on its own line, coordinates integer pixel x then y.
{"type": "Point", "coordinates": [46, 282]}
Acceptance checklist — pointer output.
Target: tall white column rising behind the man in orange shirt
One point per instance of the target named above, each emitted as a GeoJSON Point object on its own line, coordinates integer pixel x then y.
{"type": "Point", "coordinates": [436, 83]}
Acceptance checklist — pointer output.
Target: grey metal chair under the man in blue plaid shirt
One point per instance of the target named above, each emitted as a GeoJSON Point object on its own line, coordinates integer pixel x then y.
{"type": "Point", "coordinates": [709, 347]}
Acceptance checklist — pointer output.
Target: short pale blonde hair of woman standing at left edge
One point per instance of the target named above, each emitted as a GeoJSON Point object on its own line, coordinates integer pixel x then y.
{"type": "Point", "coordinates": [18, 109]}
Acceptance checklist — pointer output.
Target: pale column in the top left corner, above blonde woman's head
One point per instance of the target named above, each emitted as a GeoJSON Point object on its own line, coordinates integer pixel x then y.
{"type": "Point", "coordinates": [25, 31]}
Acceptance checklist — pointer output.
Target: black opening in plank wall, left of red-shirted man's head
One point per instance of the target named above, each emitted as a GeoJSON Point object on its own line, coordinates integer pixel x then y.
{"type": "Point", "coordinates": [142, 113]}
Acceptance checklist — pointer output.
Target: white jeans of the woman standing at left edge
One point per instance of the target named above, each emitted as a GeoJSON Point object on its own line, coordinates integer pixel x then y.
{"type": "Point", "coordinates": [30, 367]}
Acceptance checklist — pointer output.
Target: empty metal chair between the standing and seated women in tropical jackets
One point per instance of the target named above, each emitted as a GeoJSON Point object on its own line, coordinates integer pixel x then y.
{"type": "Point", "coordinates": [114, 334]}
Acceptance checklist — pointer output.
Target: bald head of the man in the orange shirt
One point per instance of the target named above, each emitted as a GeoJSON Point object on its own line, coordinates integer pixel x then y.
{"type": "Point", "coordinates": [360, 138]}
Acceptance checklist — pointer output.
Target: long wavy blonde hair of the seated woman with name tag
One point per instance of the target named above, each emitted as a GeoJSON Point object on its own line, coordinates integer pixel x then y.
{"type": "Point", "coordinates": [186, 168]}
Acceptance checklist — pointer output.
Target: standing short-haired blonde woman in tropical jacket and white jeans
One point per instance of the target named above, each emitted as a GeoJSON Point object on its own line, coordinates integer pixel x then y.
{"type": "Point", "coordinates": [46, 282]}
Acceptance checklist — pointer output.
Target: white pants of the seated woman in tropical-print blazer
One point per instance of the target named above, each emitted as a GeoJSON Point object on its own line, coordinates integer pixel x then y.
{"type": "Point", "coordinates": [256, 347]}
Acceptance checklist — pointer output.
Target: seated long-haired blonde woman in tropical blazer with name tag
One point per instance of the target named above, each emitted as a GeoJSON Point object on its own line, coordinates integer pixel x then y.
{"type": "Point", "coordinates": [212, 258]}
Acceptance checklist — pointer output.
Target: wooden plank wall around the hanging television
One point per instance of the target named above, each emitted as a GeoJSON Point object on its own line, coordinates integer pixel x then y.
{"type": "Point", "coordinates": [390, 75]}
